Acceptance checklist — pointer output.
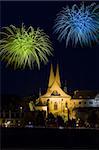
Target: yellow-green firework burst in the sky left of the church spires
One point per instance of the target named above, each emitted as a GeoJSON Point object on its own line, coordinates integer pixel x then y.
{"type": "Point", "coordinates": [21, 47]}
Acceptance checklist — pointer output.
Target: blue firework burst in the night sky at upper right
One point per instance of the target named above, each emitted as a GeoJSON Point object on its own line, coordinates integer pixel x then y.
{"type": "Point", "coordinates": [79, 25]}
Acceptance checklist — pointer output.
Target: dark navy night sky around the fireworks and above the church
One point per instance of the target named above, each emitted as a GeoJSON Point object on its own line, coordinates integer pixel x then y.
{"type": "Point", "coordinates": [79, 66]}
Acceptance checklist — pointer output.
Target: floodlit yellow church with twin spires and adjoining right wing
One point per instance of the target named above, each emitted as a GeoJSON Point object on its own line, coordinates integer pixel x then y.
{"type": "Point", "coordinates": [58, 102]}
